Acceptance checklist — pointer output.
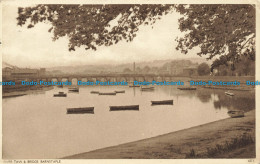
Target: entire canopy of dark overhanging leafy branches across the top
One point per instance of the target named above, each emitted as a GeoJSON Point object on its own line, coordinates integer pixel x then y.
{"type": "Point", "coordinates": [225, 30]}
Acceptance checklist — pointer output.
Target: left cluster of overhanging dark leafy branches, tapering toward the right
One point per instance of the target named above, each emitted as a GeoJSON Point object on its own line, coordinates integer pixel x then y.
{"type": "Point", "coordinates": [90, 25]}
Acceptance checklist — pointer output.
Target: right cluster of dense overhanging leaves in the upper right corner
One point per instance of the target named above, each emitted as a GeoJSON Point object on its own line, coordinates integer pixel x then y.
{"type": "Point", "coordinates": [227, 30]}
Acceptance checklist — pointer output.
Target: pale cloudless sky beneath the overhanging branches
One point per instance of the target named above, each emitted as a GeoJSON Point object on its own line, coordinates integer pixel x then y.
{"type": "Point", "coordinates": [34, 47]}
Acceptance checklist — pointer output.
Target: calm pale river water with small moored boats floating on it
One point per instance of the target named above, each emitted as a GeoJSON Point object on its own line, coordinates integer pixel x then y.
{"type": "Point", "coordinates": [37, 126]}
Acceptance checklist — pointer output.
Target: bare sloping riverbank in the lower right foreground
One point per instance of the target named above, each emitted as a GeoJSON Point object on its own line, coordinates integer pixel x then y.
{"type": "Point", "coordinates": [198, 140]}
